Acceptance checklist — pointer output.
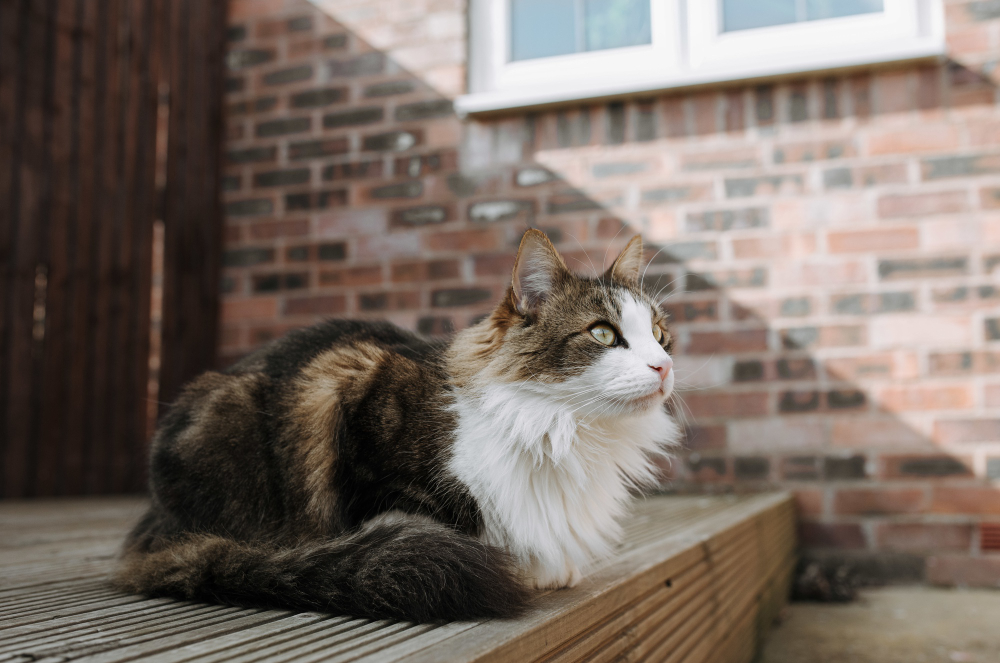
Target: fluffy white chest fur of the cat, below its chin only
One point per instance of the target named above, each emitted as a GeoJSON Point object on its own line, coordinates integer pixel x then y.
{"type": "Point", "coordinates": [552, 487]}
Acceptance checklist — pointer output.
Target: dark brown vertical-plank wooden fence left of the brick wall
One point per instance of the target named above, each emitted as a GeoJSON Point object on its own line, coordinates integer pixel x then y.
{"type": "Point", "coordinates": [110, 118]}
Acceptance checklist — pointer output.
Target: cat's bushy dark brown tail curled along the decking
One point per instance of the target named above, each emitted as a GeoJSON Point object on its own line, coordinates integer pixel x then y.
{"type": "Point", "coordinates": [412, 571]}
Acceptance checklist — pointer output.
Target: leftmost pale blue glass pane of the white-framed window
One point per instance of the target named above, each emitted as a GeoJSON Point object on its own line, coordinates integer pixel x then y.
{"type": "Point", "coordinates": [540, 28]}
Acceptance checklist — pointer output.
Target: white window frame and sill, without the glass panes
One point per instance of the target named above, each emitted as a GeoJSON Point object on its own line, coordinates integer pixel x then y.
{"type": "Point", "coordinates": [688, 48]}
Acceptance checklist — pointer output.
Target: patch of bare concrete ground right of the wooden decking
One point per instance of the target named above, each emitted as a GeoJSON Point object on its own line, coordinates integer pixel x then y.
{"type": "Point", "coordinates": [891, 625]}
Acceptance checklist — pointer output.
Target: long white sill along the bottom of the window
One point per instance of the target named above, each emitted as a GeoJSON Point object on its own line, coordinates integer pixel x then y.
{"type": "Point", "coordinates": [527, 98]}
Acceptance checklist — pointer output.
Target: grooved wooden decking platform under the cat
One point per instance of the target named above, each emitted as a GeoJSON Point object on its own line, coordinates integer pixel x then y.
{"type": "Point", "coordinates": [698, 579]}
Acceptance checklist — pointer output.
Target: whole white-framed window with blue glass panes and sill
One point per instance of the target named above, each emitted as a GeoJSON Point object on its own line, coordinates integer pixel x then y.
{"type": "Point", "coordinates": [532, 52]}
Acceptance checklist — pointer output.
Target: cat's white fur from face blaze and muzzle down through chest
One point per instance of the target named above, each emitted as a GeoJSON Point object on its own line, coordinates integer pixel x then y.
{"type": "Point", "coordinates": [551, 465]}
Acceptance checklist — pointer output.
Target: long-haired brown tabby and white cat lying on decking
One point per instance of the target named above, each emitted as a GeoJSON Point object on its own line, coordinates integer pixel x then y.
{"type": "Point", "coordinates": [357, 468]}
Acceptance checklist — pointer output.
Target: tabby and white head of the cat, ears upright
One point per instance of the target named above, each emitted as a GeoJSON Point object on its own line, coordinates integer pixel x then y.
{"type": "Point", "coordinates": [599, 343]}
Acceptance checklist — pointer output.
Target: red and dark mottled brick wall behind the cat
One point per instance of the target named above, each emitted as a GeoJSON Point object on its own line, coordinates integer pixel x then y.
{"type": "Point", "coordinates": [828, 247]}
